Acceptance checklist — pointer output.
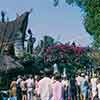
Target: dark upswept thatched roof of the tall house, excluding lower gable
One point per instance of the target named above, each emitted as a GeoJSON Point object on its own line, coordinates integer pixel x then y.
{"type": "Point", "coordinates": [8, 29]}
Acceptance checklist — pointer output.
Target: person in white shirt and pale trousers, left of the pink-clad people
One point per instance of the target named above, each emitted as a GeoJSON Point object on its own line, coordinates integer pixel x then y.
{"type": "Point", "coordinates": [30, 85]}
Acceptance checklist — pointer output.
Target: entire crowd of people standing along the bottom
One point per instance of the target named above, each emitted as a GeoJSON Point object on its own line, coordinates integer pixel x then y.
{"type": "Point", "coordinates": [55, 87]}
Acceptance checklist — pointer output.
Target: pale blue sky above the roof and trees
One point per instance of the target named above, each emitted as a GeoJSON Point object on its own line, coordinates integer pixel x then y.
{"type": "Point", "coordinates": [64, 22]}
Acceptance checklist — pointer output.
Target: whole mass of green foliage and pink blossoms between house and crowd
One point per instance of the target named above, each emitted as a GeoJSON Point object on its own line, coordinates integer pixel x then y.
{"type": "Point", "coordinates": [48, 52]}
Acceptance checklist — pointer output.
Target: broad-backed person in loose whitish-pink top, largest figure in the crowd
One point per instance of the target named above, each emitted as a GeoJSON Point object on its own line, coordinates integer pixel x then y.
{"type": "Point", "coordinates": [45, 87]}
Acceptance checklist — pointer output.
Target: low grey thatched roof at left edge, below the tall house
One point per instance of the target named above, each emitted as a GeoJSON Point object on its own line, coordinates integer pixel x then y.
{"type": "Point", "coordinates": [8, 64]}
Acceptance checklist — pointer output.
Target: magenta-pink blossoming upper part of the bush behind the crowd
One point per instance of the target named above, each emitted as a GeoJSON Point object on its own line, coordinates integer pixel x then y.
{"type": "Point", "coordinates": [62, 51]}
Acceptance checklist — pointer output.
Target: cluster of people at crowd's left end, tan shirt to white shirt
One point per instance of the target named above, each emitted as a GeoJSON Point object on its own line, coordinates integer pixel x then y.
{"type": "Point", "coordinates": [22, 88]}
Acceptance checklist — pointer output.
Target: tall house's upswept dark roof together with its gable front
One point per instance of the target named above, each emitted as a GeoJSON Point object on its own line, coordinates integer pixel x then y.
{"type": "Point", "coordinates": [11, 31]}
